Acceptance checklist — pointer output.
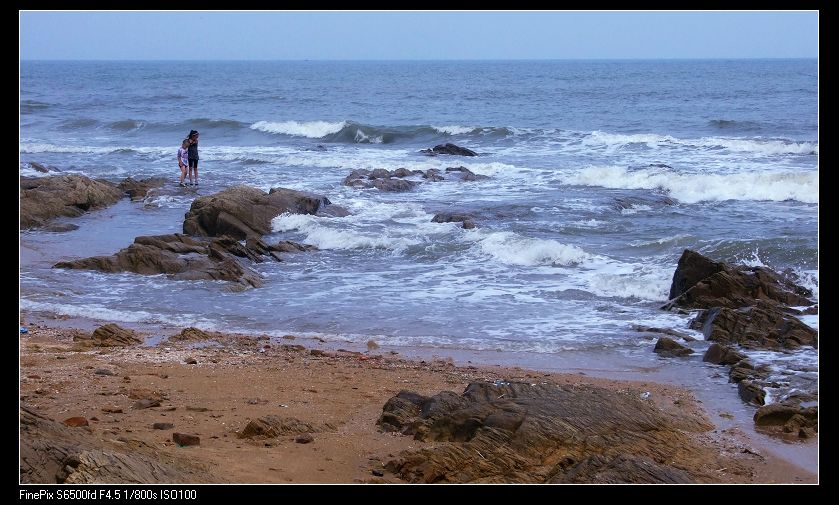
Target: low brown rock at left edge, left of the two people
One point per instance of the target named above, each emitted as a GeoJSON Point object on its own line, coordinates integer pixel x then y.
{"type": "Point", "coordinates": [43, 198]}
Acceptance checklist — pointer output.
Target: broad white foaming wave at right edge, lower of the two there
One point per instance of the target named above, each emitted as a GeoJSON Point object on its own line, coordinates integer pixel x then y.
{"type": "Point", "coordinates": [692, 188]}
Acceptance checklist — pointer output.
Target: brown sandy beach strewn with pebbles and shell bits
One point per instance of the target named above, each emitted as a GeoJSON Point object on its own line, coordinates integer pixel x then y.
{"type": "Point", "coordinates": [345, 388]}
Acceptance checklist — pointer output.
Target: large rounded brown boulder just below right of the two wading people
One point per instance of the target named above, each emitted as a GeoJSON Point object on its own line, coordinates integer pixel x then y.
{"type": "Point", "coordinates": [243, 212]}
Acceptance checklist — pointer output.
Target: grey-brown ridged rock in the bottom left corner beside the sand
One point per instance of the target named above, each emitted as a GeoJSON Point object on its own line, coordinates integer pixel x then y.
{"type": "Point", "coordinates": [52, 453]}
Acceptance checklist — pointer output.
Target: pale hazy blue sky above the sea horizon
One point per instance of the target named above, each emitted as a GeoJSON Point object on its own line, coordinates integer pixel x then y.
{"type": "Point", "coordinates": [378, 35]}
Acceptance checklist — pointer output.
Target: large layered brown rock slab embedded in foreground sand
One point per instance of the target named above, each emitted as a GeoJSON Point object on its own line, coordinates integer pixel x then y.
{"type": "Point", "coordinates": [521, 432]}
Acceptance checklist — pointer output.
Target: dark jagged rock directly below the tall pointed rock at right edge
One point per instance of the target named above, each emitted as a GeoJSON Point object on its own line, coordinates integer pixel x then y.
{"type": "Point", "coordinates": [762, 326]}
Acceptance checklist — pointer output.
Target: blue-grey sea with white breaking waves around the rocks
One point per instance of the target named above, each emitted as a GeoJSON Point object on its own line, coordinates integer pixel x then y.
{"type": "Point", "coordinates": [600, 173]}
